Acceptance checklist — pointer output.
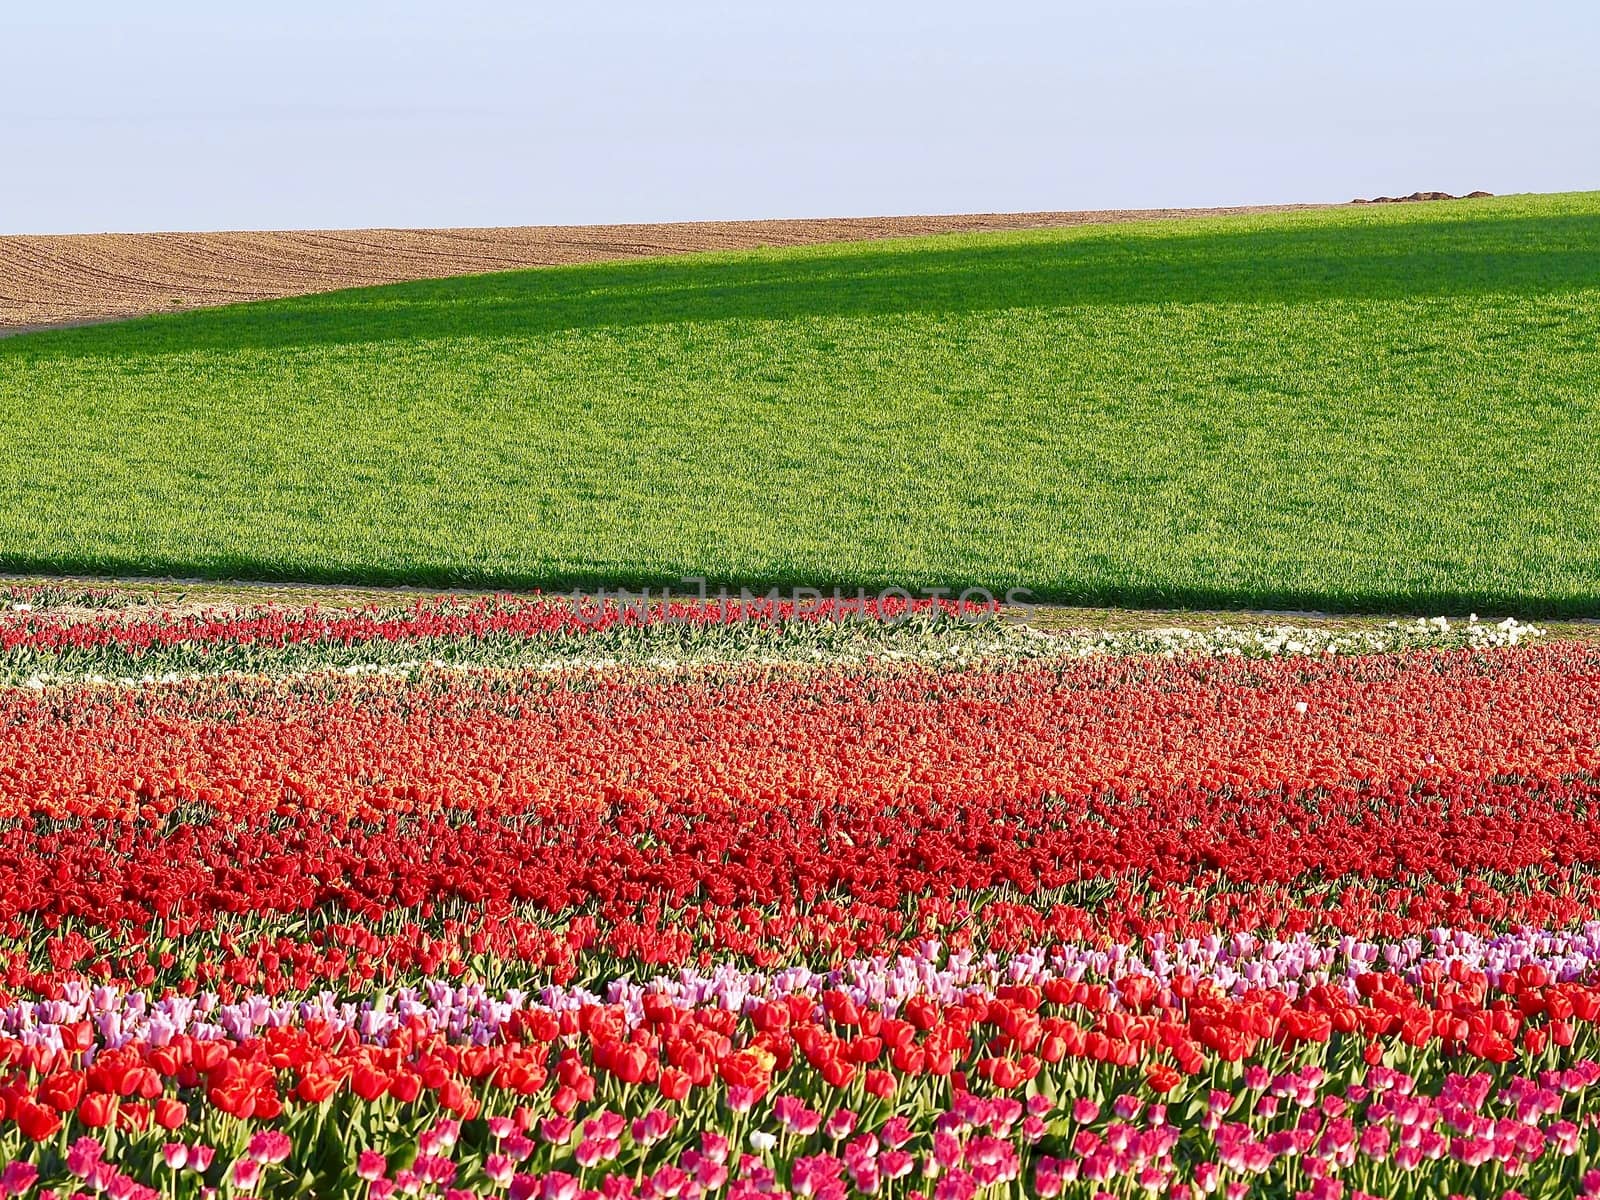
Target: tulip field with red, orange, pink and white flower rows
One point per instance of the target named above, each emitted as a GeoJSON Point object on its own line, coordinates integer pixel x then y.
{"type": "Point", "coordinates": [543, 900]}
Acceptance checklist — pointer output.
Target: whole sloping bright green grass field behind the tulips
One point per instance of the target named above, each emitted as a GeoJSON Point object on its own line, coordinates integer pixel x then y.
{"type": "Point", "coordinates": [1367, 409]}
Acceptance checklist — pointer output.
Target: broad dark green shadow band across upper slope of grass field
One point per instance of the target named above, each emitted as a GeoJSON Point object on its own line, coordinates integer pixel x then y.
{"type": "Point", "coordinates": [1284, 265]}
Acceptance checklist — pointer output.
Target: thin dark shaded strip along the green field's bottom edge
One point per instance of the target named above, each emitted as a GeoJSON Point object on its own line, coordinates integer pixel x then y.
{"type": "Point", "coordinates": [1079, 593]}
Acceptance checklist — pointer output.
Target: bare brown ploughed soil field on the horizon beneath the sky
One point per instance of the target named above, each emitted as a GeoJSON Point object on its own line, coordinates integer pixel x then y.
{"type": "Point", "coordinates": [50, 281]}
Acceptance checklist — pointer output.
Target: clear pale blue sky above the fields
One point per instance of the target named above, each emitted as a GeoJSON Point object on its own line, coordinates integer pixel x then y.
{"type": "Point", "coordinates": [177, 116]}
